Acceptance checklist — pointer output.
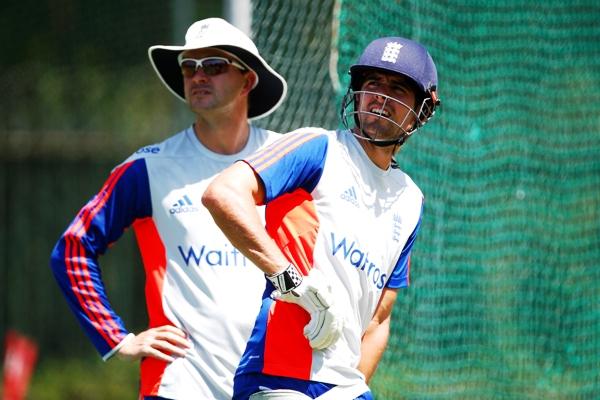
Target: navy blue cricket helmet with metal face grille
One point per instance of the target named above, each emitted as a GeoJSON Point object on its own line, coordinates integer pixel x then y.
{"type": "Point", "coordinates": [394, 55]}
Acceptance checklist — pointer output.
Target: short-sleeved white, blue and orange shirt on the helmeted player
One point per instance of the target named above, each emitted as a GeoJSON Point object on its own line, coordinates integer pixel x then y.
{"type": "Point", "coordinates": [329, 207]}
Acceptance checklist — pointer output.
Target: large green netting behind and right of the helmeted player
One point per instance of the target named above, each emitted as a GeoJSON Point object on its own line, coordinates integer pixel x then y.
{"type": "Point", "coordinates": [505, 296]}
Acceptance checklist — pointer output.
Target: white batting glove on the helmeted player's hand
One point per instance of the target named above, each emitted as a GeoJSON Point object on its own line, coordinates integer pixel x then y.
{"type": "Point", "coordinates": [316, 297]}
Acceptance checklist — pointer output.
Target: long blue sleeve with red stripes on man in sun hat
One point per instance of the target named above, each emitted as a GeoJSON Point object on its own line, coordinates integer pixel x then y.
{"type": "Point", "coordinates": [124, 198]}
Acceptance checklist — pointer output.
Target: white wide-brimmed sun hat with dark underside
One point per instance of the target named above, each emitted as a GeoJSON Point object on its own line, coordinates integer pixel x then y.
{"type": "Point", "coordinates": [266, 96]}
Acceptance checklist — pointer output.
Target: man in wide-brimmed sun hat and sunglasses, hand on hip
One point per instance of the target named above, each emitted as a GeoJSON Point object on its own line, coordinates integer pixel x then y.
{"type": "Point", "coordinates": [202, 295]}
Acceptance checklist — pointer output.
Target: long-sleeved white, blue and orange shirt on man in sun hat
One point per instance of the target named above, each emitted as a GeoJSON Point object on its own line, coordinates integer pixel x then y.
{"type": "Point", "coordinates": [195, 279]}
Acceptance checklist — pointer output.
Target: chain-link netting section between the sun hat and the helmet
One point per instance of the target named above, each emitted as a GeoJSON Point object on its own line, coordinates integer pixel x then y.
{"type": "Point", "coordinates": [296, 38]}
